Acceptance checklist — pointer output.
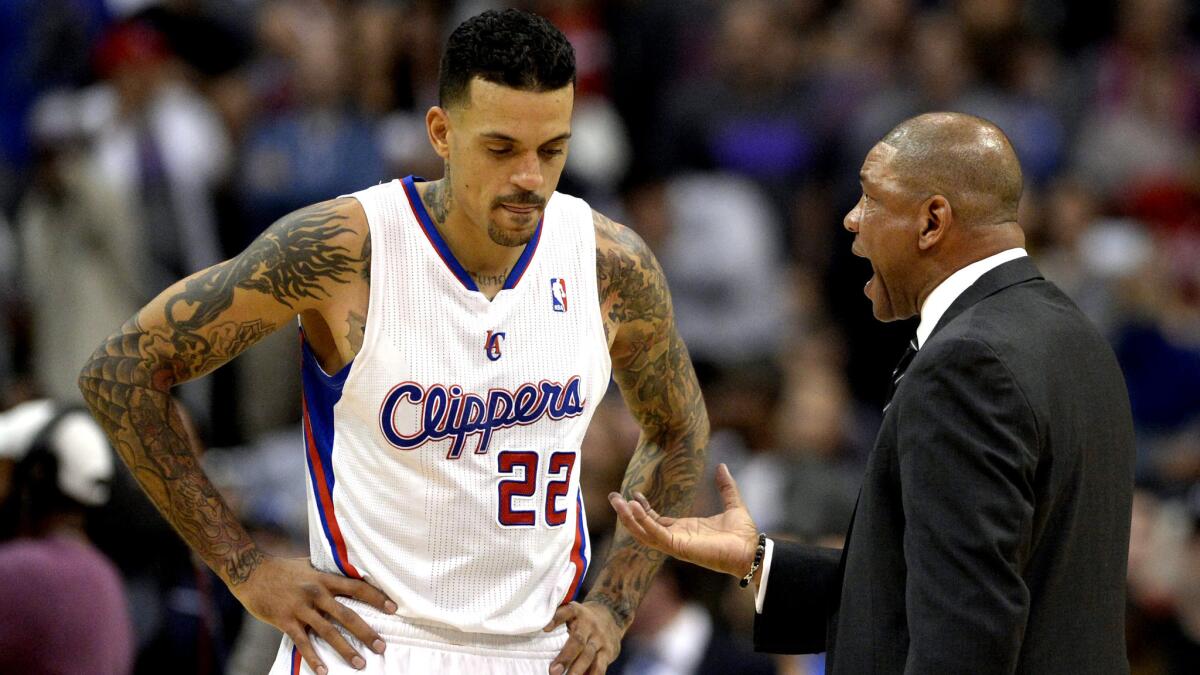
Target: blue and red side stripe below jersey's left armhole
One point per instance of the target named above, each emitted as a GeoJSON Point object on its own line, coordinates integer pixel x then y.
{"type": "Point", "coordinates": [321, 393]}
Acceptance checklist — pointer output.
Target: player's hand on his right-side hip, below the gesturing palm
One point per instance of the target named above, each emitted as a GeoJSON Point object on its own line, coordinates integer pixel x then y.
{"type": "Point", "coordinates": [595, 640]}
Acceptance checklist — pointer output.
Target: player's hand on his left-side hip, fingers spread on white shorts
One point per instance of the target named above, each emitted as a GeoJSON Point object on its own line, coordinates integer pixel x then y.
{"type": "Point", "coordinates": [296, 599]}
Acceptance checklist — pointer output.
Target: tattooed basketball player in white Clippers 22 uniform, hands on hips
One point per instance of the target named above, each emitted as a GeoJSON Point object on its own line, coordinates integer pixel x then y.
{"type": "Point", "coordinates": [458, 337]}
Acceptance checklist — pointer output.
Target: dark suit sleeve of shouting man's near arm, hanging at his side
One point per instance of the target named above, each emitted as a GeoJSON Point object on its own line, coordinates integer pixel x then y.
{"type": "Point", "coordinates": [968, 453]}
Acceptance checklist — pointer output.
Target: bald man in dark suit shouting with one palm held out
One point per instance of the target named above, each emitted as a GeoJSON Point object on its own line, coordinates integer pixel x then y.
{"type": "Point", "coordinates": [992, 530]}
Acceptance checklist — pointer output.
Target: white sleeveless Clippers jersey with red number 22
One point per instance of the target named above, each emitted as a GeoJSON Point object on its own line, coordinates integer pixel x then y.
{"type": "Point", "coordinates": [445, 459]}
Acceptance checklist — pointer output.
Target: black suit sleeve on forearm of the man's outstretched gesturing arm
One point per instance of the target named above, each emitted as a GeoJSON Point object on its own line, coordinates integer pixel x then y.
{"type": "Point", "coordinates": [802, 595]}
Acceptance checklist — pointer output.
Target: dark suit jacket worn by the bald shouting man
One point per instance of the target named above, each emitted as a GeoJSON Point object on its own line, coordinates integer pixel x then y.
{"type": "Point", "coordinates": [993, 527]}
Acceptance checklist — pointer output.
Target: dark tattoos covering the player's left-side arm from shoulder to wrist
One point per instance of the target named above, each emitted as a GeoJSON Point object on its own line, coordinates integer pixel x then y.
{"type": "Point", "coordinates": [128, 380]}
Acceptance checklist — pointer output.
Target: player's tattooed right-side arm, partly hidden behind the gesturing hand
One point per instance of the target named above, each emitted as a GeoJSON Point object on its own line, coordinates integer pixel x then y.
{"type": "Point", "coordinates": [658, 383]}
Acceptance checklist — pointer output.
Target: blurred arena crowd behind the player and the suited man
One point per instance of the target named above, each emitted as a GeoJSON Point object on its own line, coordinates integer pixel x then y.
{"type": "Point", "coordinates": [145, 140]}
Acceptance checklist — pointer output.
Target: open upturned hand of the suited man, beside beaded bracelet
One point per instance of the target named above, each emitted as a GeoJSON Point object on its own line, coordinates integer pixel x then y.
{"type": "Point", "coordinates": [725, 542]}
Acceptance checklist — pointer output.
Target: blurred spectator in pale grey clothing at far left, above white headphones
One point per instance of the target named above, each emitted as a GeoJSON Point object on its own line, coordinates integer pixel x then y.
{"type": "Point", "coordinates": [77, 236]}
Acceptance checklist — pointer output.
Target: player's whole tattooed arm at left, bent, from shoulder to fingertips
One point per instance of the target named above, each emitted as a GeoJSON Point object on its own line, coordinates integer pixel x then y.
{"type": "Point", "coordinates": [307, 264]}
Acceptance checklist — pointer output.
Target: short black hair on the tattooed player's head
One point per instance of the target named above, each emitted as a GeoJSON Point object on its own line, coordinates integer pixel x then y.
{"type": "Point", "coordinates": [507, 47]}
